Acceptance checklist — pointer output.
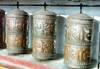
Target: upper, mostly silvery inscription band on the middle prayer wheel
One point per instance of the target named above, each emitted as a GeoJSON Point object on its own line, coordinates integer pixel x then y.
{"type": "Point", "coordinates": [43, 29]}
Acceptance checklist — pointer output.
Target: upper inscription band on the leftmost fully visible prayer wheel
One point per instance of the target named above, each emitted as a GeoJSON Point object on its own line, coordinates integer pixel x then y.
{"type": "Point", "coordinates": [16, 24]}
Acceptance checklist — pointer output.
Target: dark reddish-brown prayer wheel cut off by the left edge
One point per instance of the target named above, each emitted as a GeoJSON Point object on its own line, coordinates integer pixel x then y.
{"type": "Point", "coordinates": [2, 29]}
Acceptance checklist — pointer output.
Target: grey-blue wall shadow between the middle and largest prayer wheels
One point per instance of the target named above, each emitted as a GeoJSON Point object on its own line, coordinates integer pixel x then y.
{"type": "Point", "coordinates": [61, 24]}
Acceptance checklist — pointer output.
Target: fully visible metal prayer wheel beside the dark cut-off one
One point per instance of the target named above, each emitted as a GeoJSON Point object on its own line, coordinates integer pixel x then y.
{"type": "Point", "coordinates": [17, 31]}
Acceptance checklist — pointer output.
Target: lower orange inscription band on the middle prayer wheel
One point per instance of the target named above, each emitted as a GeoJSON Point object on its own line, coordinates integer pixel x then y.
{"type": "Point", "coordinates": [42, 46]}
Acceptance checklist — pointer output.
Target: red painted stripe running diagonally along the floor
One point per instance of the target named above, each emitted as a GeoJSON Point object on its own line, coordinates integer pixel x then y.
{"type": "Point", "coordinates": [24, 63]}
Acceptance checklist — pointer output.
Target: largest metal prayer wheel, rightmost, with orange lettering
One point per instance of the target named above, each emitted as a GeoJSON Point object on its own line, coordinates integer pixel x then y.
{"type": "Point", "coordinates": [78, 42]}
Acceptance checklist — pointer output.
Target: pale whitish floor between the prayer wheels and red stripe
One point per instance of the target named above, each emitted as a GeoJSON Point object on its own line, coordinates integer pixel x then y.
{"type": "Point", "coordinates": [56, 63]}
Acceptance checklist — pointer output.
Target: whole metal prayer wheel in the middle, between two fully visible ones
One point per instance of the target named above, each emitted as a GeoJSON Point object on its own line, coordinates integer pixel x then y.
{"type": "Point", "coordinates": [44, 35]}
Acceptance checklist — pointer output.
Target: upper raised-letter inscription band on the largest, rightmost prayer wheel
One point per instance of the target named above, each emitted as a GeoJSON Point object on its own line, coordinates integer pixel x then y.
{"type": "Point", "coordinates": [78, 34]}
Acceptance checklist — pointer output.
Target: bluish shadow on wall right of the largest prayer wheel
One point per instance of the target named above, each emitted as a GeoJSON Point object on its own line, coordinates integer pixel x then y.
{"type": "Point", "coordinates": [95, 43]}
